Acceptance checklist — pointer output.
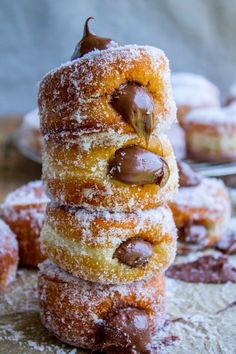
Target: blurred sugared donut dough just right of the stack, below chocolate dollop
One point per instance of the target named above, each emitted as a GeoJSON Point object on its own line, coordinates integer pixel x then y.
{"type": "Point", "coordinates": [208, 205]}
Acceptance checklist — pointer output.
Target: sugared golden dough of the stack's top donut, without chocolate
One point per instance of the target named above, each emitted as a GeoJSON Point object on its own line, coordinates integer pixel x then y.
{"type": "Point", "coordinates": [77, 95]}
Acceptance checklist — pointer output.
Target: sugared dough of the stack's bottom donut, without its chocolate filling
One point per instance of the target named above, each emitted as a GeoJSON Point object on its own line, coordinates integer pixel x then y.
{"type": "Point", "coordinates": [71, 308]}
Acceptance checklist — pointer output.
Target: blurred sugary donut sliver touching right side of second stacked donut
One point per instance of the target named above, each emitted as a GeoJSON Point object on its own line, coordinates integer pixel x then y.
{"type": "Point", "coordinates": [177, 138]}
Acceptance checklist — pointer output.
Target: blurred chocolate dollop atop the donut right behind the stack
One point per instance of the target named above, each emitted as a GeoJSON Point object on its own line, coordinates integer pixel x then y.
{"type": "Point", "coordinates": [187, 176]}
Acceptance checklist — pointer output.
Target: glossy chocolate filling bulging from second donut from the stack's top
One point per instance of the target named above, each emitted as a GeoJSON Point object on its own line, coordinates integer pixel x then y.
{"type": "Point", "coordinates": [135, 165]}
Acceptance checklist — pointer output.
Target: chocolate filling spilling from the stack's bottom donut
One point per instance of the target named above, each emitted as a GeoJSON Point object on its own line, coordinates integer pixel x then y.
{"type": "Point", "coordinates": [126, 331]}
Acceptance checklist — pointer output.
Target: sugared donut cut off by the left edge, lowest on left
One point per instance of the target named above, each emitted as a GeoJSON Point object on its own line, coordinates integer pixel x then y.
{"type": "Point", "coordinates": [8, 256]}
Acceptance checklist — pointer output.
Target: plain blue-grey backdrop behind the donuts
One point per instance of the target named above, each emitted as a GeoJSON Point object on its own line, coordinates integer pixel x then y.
{"type": "Point", "coordinates": [37, 35]}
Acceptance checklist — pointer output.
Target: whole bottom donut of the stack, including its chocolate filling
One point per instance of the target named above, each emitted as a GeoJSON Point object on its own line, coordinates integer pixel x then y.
{"type": "Point", "coordinates": [110, 318]}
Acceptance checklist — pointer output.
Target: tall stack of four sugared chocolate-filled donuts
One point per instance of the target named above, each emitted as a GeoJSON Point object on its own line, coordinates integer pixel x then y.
{"type": "Point", "coordinates": [109, 171]}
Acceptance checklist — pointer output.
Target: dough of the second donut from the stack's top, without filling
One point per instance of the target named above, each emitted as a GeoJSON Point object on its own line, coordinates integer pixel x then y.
{"type": "Point", "coordinates": [75, 172]}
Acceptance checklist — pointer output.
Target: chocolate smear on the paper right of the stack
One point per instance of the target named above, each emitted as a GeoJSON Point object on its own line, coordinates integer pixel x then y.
{"type": "Point", "coordinates": [206, 269]}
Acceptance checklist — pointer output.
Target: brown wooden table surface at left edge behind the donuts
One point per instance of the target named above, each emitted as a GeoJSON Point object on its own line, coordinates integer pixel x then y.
{"type": "Point", "coordinates": [15, 169]}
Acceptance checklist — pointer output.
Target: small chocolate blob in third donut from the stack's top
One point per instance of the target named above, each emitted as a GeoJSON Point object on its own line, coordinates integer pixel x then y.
{"type": "Point", "coordinates": [134, 252]}
